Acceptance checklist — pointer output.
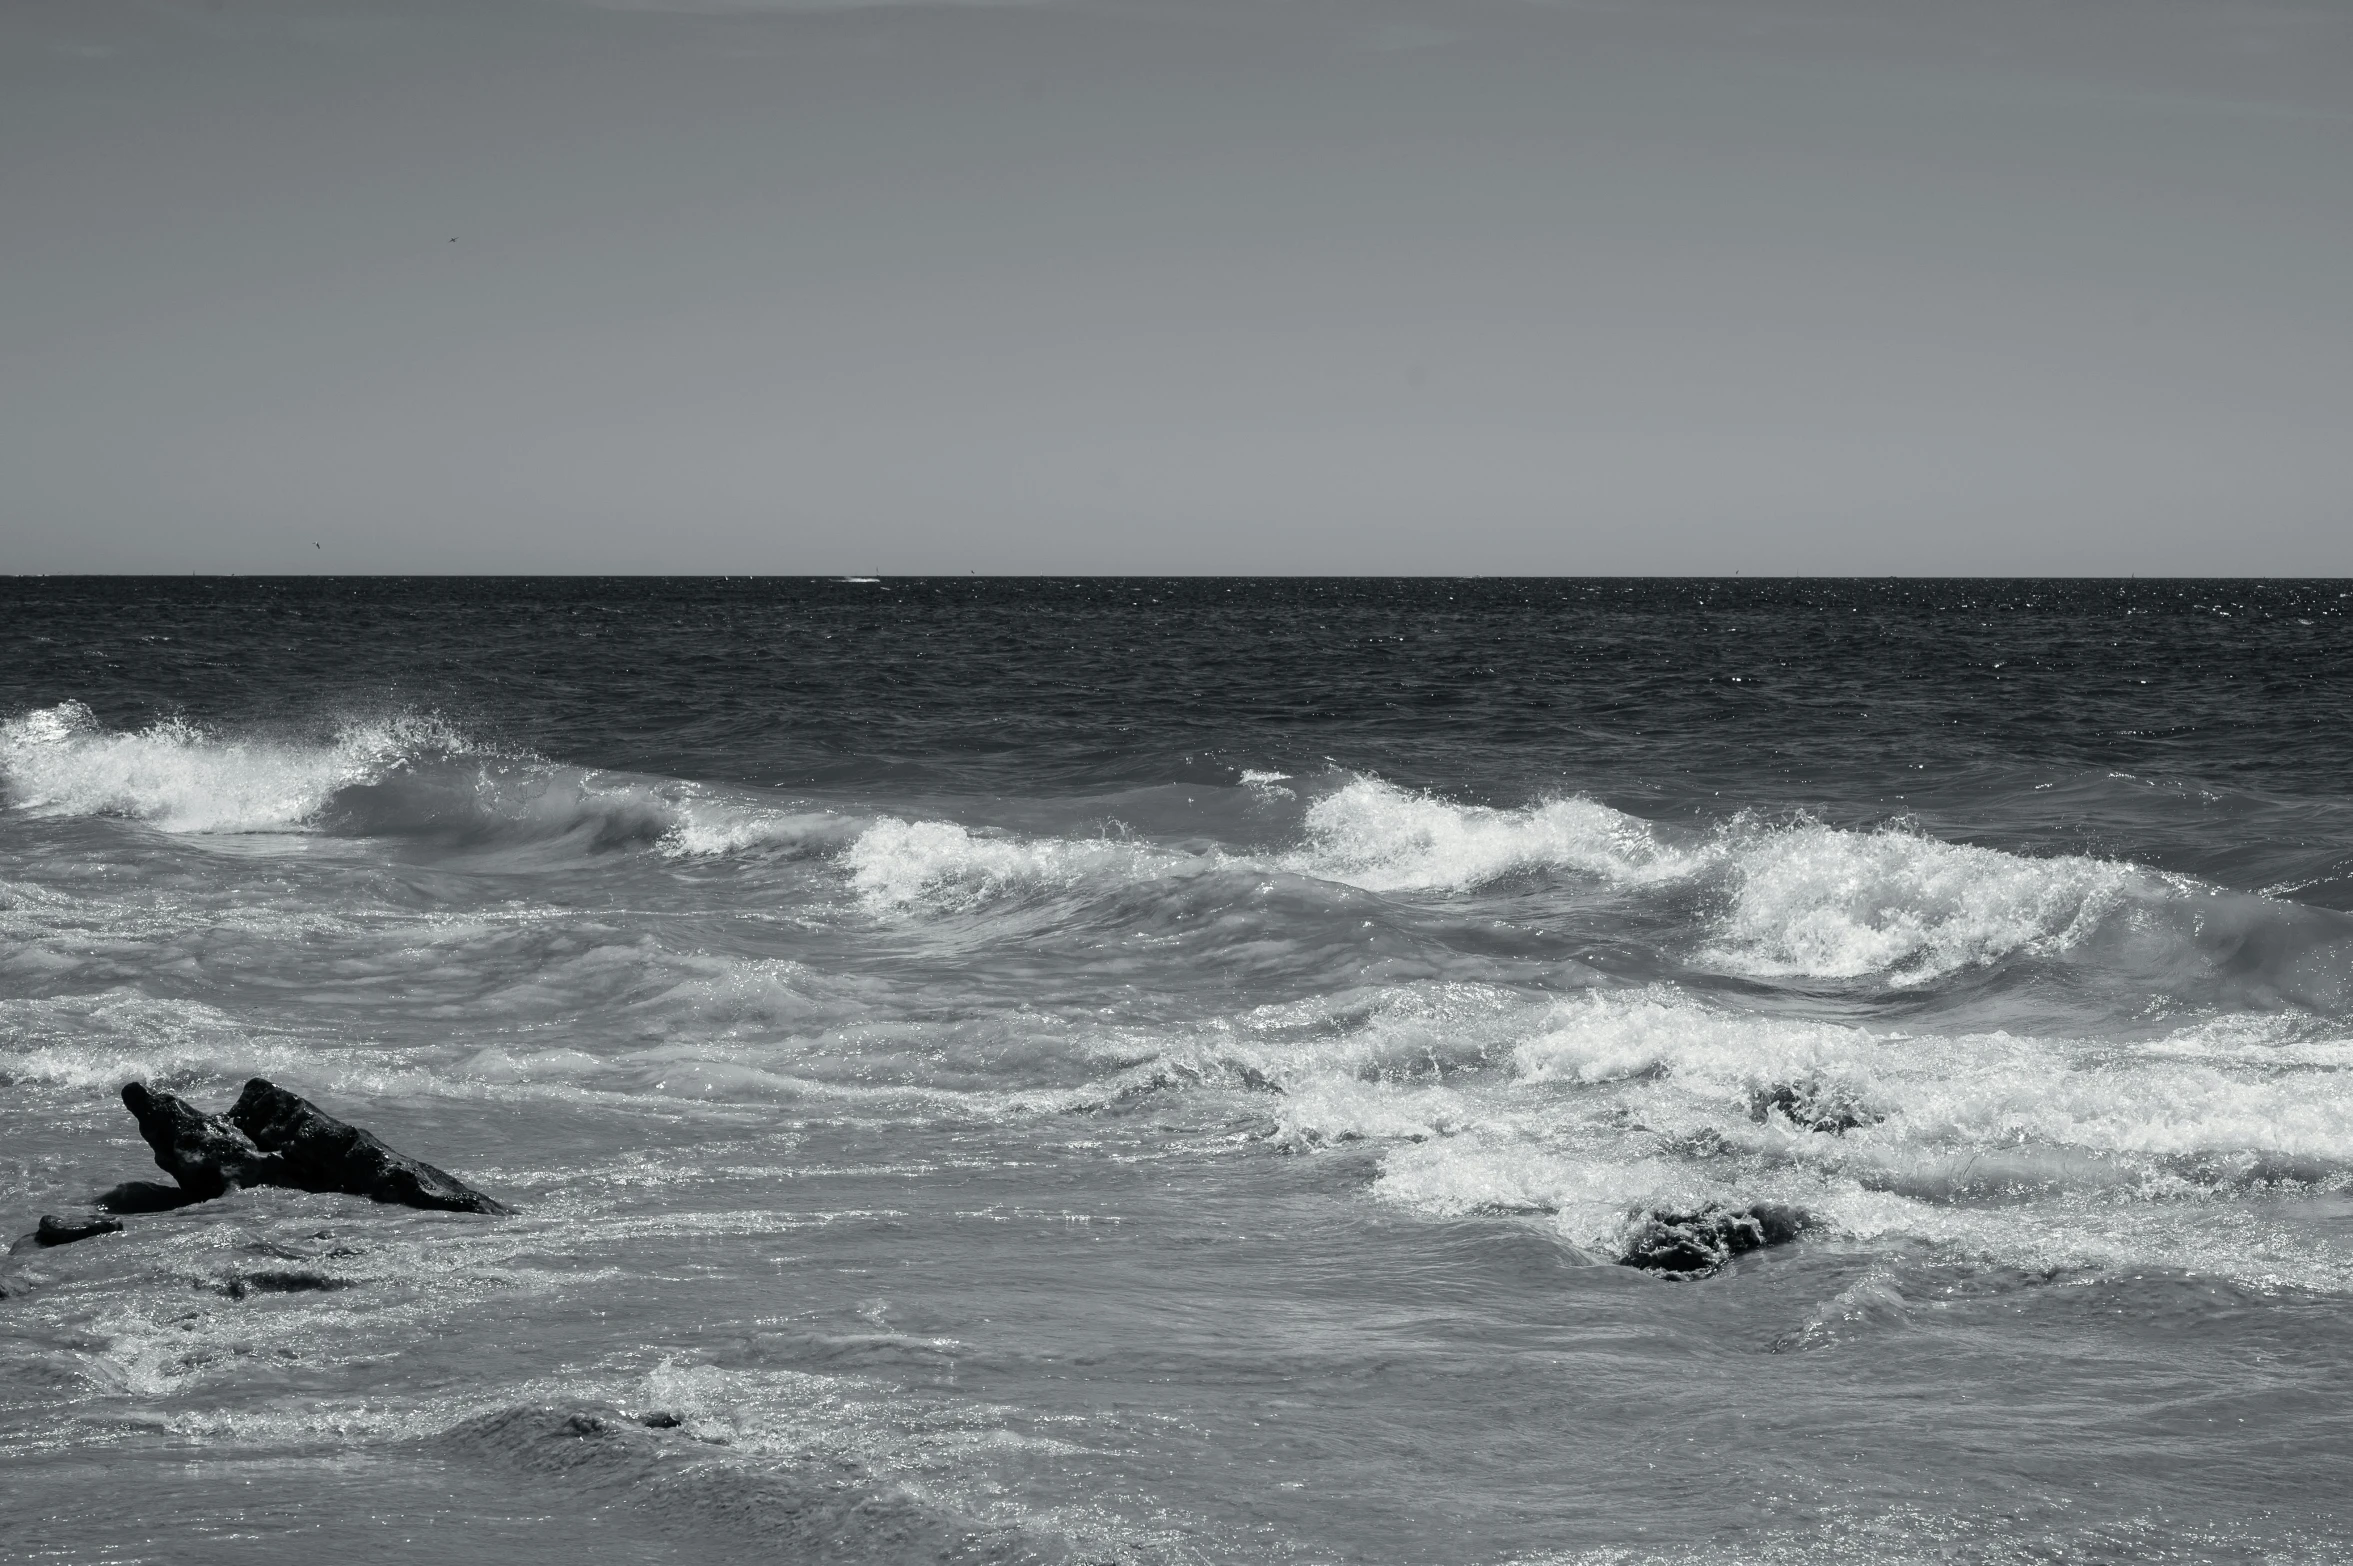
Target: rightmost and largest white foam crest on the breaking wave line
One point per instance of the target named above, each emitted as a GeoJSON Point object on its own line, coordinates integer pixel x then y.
{"type": "Point", "coordinates": [1813, 902]}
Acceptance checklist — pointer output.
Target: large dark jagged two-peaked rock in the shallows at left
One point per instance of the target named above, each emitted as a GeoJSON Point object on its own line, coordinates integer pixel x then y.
{"type": "Point", "coordinates": [272, 1137]}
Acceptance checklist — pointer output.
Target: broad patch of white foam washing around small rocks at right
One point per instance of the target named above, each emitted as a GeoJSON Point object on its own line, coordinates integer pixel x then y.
{"type": "Point", "coordinates": [2020, 1151]}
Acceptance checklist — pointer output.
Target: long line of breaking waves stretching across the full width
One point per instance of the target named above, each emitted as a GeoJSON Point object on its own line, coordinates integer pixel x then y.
{"type": "Point", "coordinates": [1773, 902]}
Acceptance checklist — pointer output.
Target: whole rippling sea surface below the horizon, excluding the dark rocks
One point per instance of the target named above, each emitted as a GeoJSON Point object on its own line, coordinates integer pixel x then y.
{"type": "Point", "coordinates": [1166, 1071]}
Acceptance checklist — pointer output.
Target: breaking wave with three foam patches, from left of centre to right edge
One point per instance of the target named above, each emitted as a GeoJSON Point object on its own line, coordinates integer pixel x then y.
{"type": "Point", "coordinates": [1775, 902]}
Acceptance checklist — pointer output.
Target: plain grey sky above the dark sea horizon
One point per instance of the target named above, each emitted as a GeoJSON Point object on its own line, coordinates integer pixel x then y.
{"type": "Point", "coordinates": [1178, 286]}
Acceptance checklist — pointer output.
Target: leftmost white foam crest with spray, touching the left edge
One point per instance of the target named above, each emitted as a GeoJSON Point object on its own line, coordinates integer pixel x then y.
{"type": "Point", "coordinates": [185, 779]}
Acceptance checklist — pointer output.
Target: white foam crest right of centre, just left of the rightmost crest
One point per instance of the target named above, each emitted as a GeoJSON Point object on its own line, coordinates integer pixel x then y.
{"type": "Point", "coordinates": [1387, 838]}
